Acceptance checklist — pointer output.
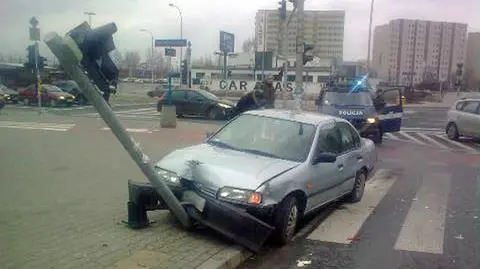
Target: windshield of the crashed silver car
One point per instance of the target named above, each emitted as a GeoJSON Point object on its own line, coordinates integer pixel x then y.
{"type": "Point", "coordinates": [266, 136]}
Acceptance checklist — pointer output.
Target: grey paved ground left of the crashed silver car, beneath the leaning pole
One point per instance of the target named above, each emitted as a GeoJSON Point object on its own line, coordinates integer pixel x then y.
{"type": "Point", "coordinates": [63, 194]}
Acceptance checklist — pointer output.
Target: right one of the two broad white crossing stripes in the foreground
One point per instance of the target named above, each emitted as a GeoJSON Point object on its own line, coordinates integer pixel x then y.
{"type": "Point", "coordinates": [423, 229]}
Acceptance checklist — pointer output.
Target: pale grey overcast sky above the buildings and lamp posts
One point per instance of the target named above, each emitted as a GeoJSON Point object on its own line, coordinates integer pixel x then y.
{"type": "Point", "coordinates": [202, 20]}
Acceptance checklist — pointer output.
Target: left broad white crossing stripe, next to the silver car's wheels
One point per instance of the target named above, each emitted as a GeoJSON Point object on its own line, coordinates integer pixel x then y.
{"type": "Point", "coordinates": [343, 225]}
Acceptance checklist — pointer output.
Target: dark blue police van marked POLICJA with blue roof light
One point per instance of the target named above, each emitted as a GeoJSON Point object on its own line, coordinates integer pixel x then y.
{"type": "Point", "coordinates": [372, 113]}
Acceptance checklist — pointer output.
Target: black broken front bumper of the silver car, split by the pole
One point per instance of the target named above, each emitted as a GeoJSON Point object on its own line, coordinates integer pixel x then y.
{"type": "Point", "coordinates": [240, 224]}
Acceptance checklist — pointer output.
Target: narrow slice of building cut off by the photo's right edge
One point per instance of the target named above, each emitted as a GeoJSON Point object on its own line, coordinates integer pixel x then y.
{"type": "Point", "coordinates": [472, 68]}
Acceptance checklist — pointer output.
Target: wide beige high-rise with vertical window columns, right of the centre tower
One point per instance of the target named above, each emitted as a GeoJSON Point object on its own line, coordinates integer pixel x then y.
{"type": "Point", "coordinates": [411, 51]}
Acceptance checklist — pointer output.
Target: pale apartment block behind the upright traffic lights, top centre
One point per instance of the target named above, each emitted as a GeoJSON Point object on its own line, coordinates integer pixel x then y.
{"type": "Point", "coordinates": [323, 29]}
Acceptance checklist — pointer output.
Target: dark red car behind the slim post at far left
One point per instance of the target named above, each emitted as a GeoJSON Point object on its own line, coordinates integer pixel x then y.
{"type": "Point", "coordinates": [51, 96]}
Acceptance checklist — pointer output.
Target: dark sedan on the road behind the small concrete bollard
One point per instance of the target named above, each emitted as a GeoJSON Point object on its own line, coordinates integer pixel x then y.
{"type": "Point", "coordinates": [197, 103]}
